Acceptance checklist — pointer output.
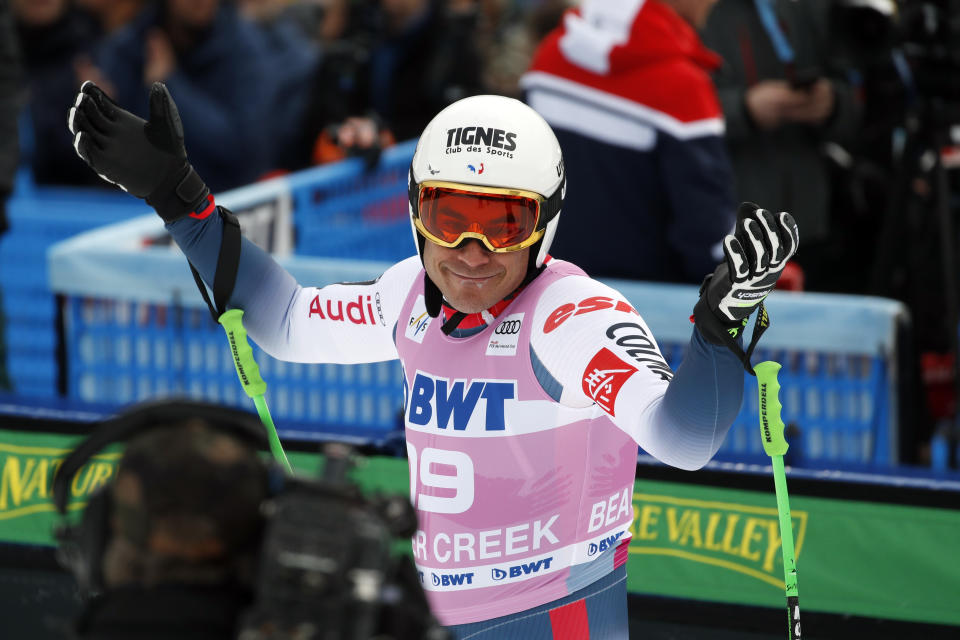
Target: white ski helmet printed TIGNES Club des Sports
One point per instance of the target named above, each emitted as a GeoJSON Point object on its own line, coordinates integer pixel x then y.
{"type": "Point", "coordinates": [492, 141]}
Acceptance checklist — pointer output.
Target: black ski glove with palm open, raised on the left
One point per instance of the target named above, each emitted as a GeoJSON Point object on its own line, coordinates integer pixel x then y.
{"type": "Point", "coordinates": [146, 159]}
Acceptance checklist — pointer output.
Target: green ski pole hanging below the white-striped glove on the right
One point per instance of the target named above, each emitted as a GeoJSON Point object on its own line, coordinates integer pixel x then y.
{"type": "Point", "coordinates": [771, 430]}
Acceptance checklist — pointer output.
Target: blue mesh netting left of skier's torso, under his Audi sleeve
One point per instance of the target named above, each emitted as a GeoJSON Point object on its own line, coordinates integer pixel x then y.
{"type": "Point", "coordinates": [121, 352]}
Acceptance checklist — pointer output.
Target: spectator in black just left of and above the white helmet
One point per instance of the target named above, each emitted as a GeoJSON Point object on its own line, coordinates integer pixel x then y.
{"type": "Point", "coordinates": [399, 62]}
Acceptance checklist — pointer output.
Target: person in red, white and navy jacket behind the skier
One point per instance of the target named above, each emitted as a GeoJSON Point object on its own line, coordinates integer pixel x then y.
{"type": "Point", "coordinates": [626, 86]}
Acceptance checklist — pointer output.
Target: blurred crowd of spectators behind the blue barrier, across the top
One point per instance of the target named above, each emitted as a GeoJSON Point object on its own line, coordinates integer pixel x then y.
{"type": "Point", "coordinates": [841, 112]}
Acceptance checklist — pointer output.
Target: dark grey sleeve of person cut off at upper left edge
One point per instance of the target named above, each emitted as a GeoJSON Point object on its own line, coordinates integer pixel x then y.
{"type": "Point", "coordinates": [9, 99]}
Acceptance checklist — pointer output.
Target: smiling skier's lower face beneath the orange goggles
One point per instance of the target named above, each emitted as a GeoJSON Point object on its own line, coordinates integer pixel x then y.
{"type": "Point", "coordinates": [472, 278]}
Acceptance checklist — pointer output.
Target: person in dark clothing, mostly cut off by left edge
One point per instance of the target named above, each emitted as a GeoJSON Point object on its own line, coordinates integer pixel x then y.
{"type": "Point", "coordinates": [9, 108]}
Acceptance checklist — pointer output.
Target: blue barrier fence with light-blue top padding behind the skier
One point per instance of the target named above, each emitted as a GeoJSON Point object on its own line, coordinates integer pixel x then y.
{"type": "Point", "coordinates": [127, 341]}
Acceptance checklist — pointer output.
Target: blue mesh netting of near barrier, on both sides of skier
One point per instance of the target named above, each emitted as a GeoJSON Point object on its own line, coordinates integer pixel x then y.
{"type": "Point", "coordinates": [835, 404]}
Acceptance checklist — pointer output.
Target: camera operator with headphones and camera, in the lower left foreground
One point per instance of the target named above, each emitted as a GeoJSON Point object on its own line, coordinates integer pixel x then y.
{"type": "Point", "coordinates": [197, 538]}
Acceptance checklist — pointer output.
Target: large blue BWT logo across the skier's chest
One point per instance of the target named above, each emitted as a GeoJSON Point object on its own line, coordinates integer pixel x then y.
{"type": "Point", "coordinates": [458, 401]}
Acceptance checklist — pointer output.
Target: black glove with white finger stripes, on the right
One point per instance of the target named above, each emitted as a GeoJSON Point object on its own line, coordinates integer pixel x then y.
{"type": "Point", "coordinates": [756, 253]}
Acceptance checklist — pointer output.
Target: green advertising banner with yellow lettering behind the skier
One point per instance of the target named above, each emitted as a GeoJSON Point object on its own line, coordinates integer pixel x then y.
{"type": "Point", "coordinates": [874, 559]}
